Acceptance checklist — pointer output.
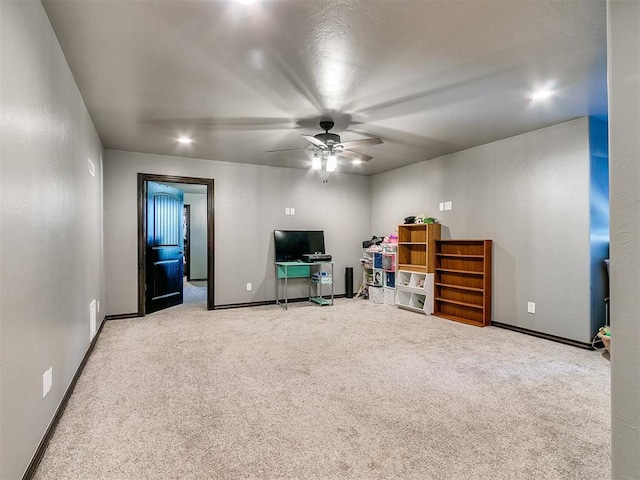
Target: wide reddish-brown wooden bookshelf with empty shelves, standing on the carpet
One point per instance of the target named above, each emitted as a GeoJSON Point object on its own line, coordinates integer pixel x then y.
{"type": "Point", "coordinates": [462, 286]}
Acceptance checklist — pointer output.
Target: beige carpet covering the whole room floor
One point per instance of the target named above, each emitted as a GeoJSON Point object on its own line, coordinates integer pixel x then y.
{"type": "Point", "coordinates": [353, 391]}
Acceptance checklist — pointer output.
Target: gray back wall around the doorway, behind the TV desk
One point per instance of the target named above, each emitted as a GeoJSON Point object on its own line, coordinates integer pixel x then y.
{"type": "Point", "coordinates": [250, 203]}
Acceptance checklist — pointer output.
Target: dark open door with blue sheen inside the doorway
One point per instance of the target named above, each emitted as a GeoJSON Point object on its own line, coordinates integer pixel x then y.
{"type": "Point", "coordinates": [165, 247]}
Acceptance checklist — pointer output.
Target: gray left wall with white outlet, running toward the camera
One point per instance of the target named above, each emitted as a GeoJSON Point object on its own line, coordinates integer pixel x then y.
{"type": "Point", "coordinates": [50, 229]}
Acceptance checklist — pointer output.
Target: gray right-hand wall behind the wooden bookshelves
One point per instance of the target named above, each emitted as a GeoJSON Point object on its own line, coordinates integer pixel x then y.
{"type": "Point", "coordinates": [530, 195]}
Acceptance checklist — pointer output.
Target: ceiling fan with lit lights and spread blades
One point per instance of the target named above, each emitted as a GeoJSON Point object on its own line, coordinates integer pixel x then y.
{"type": "Point", "coordinates": [327, 144]}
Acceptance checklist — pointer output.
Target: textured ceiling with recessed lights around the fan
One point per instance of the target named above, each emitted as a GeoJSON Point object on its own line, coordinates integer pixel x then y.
{"type": "Point", "coordinates": [428, 77]}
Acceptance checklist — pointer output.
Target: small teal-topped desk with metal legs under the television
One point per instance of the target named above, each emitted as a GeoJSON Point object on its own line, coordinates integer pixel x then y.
{"type": "Point", "coordinates": [287, 270]}
